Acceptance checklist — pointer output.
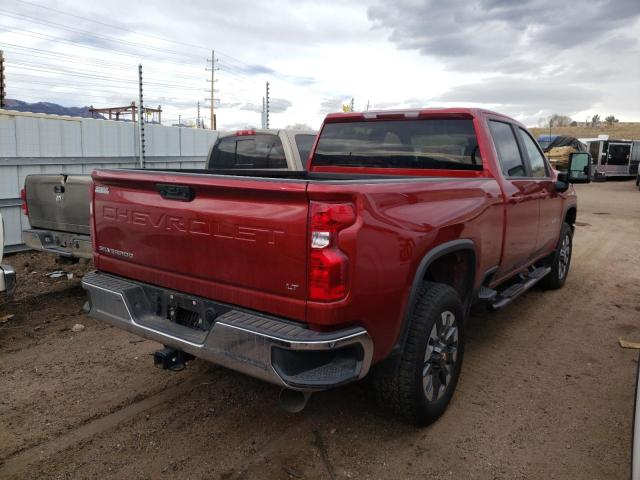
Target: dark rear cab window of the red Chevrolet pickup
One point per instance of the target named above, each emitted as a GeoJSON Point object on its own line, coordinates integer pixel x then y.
{"type": "Point", "coordinates": [432, 143]}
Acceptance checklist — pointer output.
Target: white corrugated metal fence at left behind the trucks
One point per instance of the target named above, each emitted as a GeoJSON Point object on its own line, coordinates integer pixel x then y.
{"type": "Point", "coordinates": [37, 143]}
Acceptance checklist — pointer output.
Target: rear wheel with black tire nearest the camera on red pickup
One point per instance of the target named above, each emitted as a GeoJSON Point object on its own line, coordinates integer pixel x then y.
{"type": "Point", "coordinates": [406, 391]}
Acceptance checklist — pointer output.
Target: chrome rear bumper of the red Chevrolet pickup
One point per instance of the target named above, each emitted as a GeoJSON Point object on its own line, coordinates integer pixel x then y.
{"type": "Point", "coordinates": [272, 349]}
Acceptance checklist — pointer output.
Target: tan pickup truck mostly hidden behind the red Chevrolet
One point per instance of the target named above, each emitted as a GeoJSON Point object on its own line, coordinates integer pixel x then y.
{"type": "Point", "coordinates": [57, 205]}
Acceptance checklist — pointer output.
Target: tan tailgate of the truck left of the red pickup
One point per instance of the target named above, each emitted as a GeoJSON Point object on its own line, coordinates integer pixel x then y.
{"type": "Point", "coordinates": [59, 202]}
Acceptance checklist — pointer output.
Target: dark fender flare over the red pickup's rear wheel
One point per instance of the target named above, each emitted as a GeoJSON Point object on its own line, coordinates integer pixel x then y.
{"type": "Point", "coordinates": [432, 255]}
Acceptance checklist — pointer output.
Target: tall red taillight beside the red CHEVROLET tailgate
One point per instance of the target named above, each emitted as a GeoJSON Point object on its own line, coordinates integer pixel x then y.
{"type": "Point", "coordinates": [328, 265]}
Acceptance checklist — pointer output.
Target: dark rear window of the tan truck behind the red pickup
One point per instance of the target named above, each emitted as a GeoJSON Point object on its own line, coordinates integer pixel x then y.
{"type": "Point", "coordinates": [260, 151]}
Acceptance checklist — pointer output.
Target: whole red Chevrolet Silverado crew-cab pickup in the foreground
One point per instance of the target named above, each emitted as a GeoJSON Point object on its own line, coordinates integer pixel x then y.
{"type": "Point", "coordinates": [371, 259]}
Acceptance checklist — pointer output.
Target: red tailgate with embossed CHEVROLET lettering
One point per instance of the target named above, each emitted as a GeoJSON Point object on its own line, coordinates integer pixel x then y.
{"type": "Point", "coordinates": [230, 239]}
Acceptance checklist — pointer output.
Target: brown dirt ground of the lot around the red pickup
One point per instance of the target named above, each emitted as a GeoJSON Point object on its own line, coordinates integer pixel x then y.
{"type": "Point", "coordinates": [545, 391]}
